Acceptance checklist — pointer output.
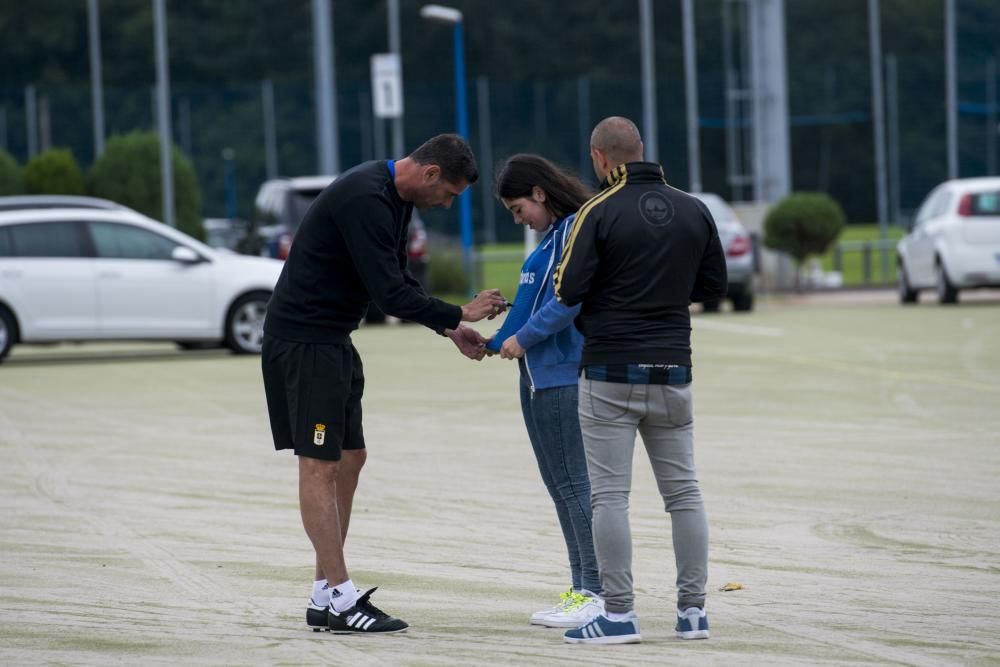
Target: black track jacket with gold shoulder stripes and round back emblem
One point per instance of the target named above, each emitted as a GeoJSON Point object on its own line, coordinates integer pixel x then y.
{"type": "Point", "coordinates": [639, 253]}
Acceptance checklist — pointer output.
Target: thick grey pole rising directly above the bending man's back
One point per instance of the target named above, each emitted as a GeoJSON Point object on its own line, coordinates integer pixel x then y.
{"type": "Point", "coordinates": [323, 75]}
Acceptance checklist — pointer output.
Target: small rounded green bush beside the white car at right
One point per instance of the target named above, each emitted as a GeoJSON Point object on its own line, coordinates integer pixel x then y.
{"type": "Point", "coordinates": [803, 224]}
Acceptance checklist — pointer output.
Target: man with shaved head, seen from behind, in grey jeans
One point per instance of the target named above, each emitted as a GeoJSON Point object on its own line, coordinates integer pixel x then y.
{"type": "Point", "coordinates": [639, 253]}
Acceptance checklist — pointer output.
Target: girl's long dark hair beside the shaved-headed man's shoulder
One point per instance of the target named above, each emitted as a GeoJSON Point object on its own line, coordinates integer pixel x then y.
{"type": "Point", "coordinates": [564, 193]}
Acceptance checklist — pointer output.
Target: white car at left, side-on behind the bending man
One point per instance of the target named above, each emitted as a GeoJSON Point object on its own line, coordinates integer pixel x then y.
{"type": "Point", "coordinates": [73, 274]}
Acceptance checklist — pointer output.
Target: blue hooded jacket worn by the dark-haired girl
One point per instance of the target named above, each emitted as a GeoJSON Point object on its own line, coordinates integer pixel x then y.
{"type": "Point", "coordinates": [544, 326]}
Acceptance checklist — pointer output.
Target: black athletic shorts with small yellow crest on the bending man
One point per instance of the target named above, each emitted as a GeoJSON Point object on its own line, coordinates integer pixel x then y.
{"type": "Point", "coordinates": [313, 396]}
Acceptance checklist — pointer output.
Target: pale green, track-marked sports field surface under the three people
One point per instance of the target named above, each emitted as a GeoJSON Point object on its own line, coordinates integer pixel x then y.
{"type": "Point", "coordinates": [849, 451]}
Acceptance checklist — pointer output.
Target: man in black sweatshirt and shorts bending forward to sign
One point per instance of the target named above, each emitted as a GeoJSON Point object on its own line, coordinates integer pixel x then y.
{"type": "Point", "coordinates": [350, 251]}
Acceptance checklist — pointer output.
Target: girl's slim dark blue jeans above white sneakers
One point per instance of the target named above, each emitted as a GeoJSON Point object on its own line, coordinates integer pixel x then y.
{"type": "Point", "coordinates": [551, 417]}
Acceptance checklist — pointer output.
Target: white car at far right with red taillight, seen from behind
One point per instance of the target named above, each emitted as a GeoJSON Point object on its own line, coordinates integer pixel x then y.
{"type": "Point", "coordinates": [954, 243]}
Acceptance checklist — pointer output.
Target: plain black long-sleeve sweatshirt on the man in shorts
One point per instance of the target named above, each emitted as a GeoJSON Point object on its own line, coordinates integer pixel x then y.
{"type": "Point", "coordinates": [350, 250]}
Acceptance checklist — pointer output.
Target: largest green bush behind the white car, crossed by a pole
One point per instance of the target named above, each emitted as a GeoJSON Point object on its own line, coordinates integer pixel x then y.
{"type": "Point", "coordinates": [129, 172]}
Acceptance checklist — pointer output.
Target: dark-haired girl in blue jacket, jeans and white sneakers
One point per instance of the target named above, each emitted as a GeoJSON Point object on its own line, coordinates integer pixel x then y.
{"type": "Point", "coordinates": [540, 334]}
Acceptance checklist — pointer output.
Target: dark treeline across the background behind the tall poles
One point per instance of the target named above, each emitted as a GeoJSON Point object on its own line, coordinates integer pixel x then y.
{"type": "Point", "coordinates": [539, 58]}
